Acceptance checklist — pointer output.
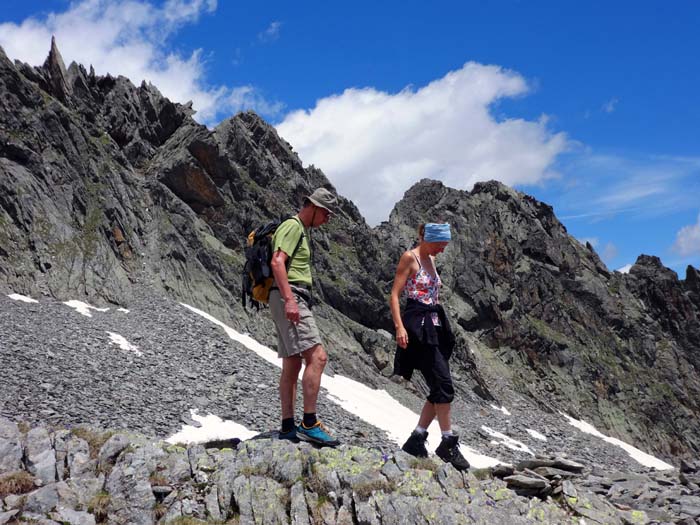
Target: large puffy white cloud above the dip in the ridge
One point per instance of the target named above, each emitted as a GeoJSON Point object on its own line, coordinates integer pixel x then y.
{"type": "Point", "coordinates": [365, 138]}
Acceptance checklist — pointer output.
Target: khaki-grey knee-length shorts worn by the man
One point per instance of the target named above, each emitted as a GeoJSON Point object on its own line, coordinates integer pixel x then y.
{"type": "Point", "coordinates": [293, 338]}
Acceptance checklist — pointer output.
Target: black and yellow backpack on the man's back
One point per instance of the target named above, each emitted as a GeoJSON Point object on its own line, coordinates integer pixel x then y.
{"type": "Point", "coordinates": [257, 278]}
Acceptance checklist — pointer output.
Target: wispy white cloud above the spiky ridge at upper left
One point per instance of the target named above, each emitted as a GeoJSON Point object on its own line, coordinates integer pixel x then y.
{"type": "Point", "coordinates": [127, 37]}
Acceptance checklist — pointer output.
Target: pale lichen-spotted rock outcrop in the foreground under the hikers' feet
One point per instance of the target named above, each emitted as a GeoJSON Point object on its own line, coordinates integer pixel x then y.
{"type": "Point", "coordinates": [96, 476]}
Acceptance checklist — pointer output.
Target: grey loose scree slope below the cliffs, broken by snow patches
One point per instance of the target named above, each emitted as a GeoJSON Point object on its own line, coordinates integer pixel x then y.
{"type": "Point", "coordinates": [59, 367]}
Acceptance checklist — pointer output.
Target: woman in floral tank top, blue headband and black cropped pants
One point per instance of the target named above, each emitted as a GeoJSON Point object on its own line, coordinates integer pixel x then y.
{"type": "Point", "coordinates": [425, 340]}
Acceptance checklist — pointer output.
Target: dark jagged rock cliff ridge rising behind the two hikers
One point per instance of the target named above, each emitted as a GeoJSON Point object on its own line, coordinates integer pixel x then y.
{"type": "Point", "coordinates": [107, 188]}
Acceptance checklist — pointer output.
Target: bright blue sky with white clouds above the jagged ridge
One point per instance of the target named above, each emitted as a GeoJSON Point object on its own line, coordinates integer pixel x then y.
{"type": "Point", "coordinates": [591, 107]}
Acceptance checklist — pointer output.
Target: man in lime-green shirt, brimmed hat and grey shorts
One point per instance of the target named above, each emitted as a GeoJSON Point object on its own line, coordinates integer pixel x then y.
{"type": "Point", "coordinates": [290, 304]}
